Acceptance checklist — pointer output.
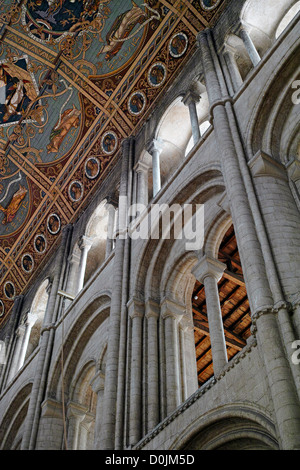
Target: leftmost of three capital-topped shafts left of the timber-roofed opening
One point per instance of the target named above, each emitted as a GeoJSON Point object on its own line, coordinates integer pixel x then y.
{"type": "Point", "coordinates": [136, 313]}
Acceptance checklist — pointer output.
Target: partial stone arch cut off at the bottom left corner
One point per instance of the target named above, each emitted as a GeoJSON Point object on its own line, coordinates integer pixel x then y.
{"type": "Point", "coordinates": [10, 428]}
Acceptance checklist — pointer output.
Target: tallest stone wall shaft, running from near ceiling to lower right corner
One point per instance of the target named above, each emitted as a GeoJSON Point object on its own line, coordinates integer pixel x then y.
{"type": "Point", "coordinates": [257, 281]}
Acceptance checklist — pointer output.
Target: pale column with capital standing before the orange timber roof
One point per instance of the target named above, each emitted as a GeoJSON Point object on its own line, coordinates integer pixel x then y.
{"type": "Point", "coordinates": [209, 271]}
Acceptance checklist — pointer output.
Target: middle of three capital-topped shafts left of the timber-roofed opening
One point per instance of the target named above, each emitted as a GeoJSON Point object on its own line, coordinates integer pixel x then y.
{"type": "Point", "coordinates": [152, 413]}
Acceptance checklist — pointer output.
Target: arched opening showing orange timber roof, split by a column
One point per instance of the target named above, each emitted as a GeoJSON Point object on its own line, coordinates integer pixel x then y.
{"type": "Point", "coordinates": [235, 310]}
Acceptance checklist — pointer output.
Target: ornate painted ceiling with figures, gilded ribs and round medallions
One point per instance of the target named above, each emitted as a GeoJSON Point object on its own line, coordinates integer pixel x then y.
{"type": "Point", "coordinates": [76, 77]}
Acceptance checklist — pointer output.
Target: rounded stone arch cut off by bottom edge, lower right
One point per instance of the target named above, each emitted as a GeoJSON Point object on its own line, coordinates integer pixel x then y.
{"type": "Point", "coordinates": [234, 426]}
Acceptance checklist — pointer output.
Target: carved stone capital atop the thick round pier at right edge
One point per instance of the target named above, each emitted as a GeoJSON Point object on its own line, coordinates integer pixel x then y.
{"type": "Point", "coordinates": [264, 165]}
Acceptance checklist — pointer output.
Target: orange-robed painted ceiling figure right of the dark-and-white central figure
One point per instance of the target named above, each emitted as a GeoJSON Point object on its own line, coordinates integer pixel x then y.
{"type": "Point", "coordinates": [68, 119]}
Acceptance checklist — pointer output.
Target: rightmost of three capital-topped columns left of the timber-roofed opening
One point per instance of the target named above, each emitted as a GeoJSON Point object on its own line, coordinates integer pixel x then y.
{"type": "Point", "coordinates": [172, 314]}
